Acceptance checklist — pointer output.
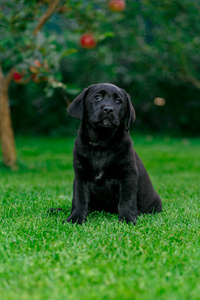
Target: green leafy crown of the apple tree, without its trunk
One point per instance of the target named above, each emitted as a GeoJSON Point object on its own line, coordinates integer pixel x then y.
{"type": "Point", "coordinates": [20, 47]}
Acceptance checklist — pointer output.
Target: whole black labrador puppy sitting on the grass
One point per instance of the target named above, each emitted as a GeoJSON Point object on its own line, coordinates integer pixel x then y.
{"type": "Point", "coordinates": [109, 175]}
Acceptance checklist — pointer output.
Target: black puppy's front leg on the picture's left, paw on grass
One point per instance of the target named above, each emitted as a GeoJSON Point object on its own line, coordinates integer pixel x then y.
{"type": "Point", "coordinates": [79, 202]}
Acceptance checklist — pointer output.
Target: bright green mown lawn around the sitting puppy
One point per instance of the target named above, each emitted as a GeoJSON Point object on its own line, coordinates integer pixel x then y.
{"type": "Point", "coordinates": [40, 258]}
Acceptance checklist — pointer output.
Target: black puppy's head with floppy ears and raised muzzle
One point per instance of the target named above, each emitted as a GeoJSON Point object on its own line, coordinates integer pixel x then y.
{"type": "Point", "coordinates": [103, 105]}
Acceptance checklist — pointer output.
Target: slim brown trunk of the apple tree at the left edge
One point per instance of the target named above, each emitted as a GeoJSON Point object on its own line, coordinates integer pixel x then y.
{"type": "Point", "coordinates": [6, 130]}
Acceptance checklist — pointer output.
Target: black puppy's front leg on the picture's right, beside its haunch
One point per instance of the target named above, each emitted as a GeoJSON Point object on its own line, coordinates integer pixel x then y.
{"type": "Point", "coordinates": [127, 206]}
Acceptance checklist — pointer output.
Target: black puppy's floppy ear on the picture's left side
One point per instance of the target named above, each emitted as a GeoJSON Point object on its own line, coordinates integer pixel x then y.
{"type": "Point", "coordinates": [76, 108]}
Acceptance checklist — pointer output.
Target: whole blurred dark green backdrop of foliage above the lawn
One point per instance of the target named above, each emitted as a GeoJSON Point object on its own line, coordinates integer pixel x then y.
{"type": "Point", "coordinates": [149, 48]}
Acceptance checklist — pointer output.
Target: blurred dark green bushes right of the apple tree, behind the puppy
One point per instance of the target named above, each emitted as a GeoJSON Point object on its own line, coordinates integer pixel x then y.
{"type": "Point", "coordinates": [152, 53]}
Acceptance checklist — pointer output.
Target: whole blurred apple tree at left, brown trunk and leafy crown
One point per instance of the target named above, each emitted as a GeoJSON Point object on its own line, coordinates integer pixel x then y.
{"type": "Point", "coordinates": [26, 53]}
